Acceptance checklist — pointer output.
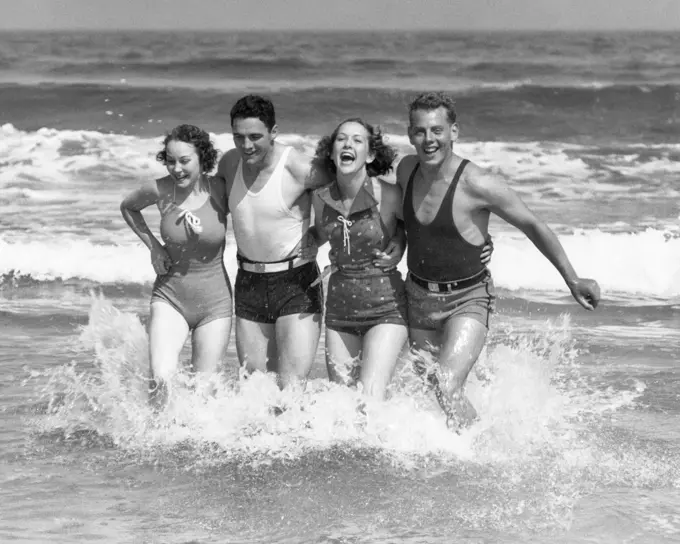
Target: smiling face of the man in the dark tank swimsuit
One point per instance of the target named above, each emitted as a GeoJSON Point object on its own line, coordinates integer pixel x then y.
{"type": "Point", "coordinates": [432, 134]}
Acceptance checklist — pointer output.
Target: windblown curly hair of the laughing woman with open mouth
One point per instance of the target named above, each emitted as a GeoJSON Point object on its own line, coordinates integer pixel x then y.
{"type": "Point", "coordinates": [384, 154]}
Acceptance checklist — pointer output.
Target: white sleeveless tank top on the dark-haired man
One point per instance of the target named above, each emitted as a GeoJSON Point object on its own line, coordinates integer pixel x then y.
{"type": "Point", "coordinates": [265, 229]}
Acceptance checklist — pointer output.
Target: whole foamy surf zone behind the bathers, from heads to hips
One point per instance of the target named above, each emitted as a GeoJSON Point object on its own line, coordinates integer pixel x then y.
{"type": "Point", "coordinates": [60, 191]}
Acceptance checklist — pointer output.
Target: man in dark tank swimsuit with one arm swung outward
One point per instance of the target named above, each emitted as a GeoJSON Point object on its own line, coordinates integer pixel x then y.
{"type": "Point", "coordinates": [447, 204]}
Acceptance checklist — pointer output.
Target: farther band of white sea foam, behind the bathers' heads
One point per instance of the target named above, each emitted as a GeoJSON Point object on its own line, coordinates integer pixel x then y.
{"type": "Point", "coordinates": [53, 155]}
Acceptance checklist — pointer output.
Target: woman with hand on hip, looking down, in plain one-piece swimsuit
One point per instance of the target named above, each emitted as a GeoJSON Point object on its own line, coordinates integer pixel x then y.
{"type": "Point", "coordinates": [192, 291]}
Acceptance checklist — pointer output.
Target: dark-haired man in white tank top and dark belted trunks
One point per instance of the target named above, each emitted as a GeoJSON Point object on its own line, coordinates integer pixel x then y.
{"type": "Point", "coordinates": [278, 312]}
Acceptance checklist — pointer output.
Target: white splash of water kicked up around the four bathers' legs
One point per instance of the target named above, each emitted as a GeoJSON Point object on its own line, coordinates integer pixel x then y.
{"type": "Point", "coordinates": [527, 389]}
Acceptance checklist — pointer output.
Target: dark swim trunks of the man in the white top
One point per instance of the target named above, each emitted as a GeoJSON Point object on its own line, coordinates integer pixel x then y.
{"type": "Point", "coordinates": [264, 297]}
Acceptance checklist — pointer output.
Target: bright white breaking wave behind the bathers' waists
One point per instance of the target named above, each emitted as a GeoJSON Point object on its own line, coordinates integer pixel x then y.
{"type": "Point", "coordinates": [639, 265]}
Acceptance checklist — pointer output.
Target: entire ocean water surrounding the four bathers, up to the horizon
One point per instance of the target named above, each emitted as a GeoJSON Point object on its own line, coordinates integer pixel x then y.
{"type": "Point", "coordinates": [578, 439]}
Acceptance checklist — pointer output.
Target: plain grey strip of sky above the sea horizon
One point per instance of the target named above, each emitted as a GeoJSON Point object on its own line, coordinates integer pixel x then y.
{"type": "Point", "coordinates": [342, 14]}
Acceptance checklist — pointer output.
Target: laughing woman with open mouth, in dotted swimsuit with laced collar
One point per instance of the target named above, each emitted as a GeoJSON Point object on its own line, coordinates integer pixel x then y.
{"type": "Point", "coordinates": [357, 214]}
